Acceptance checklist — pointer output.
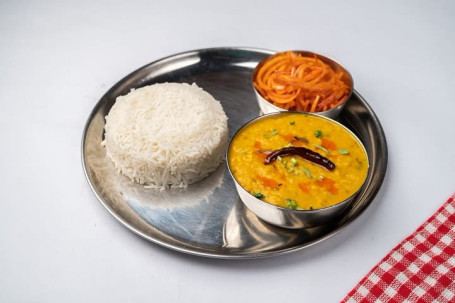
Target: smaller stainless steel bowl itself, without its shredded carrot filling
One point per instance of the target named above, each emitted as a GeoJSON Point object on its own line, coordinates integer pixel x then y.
{"type": "Point", "coordinates": [267, 107]}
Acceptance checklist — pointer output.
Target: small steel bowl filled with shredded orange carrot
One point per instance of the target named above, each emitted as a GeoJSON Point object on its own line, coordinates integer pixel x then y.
{"type": "Point", "coordinates": [302, 81]}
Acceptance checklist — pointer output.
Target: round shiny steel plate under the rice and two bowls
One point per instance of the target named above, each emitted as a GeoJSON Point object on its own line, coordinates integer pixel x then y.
{"type": "Point", "coordinates": [208, 218]}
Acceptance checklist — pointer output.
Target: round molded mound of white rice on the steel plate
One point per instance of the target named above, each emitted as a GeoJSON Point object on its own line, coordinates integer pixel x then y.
{"type": "Point", "coordinates": [169, 134]}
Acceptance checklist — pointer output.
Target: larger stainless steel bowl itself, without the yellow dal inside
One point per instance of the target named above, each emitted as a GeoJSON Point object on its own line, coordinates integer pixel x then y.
{"type": "Point", "coordinates": [286, 217]}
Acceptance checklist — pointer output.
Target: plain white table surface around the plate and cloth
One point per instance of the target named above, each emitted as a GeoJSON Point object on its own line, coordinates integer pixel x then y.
{"type": "Point", "coordinates": [57, 58]}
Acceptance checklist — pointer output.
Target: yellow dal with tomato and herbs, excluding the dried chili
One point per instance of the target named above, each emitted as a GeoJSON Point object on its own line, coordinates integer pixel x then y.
{"type": "Point", "coordinates": [292, 181]}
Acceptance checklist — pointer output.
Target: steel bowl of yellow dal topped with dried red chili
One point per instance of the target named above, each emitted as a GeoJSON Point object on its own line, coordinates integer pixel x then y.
{"type": "Point", "coordinates": [297, 170]}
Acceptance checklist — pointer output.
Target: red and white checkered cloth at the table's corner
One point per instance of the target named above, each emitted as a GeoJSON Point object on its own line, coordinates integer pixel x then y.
{"type": "Point", "coordinates": [419, 269]}
